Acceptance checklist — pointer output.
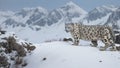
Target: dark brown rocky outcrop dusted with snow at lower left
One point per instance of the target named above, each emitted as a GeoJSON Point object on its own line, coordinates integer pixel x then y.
{"type": "Point", "coordinates": [13, 50]}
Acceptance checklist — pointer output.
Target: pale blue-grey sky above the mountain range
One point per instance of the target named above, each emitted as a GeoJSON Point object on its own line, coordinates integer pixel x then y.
{"type": "Point", "coordinates": [52, 4]}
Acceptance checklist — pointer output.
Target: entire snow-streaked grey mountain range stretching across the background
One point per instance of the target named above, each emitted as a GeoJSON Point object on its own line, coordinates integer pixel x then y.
{"type": "Point", "coordinates": [104, 15]}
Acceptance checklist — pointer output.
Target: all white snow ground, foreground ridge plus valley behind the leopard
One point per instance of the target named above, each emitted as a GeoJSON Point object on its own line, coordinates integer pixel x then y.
{"type": "Point", "coordinates": [61, 54]}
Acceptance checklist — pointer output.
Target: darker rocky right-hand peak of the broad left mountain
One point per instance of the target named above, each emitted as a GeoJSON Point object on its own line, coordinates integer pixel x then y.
{"type": "Point", "coordinates": [38, 14]}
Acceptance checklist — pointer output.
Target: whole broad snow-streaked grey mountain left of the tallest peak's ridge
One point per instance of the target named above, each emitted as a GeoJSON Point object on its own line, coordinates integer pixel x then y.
{"type": "Point", "coordinates": [26, 16]}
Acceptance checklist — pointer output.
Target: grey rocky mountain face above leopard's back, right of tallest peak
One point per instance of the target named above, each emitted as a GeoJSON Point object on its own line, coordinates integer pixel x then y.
{"type": "Point", "coordinates": [100, 12]}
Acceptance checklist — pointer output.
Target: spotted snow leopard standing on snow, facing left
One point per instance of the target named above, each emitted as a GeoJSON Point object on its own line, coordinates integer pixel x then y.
{"type": "Point", "coordinates": [92, 33]}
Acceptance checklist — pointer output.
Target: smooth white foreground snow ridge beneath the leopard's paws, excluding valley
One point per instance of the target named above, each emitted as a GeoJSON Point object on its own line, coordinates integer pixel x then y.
{"type": "Point", "coordinates": [58, 54]}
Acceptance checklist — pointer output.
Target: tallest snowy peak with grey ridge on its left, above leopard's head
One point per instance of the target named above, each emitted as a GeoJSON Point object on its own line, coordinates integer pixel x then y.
{"type": "Point", "coordinates": [68, 11]}
